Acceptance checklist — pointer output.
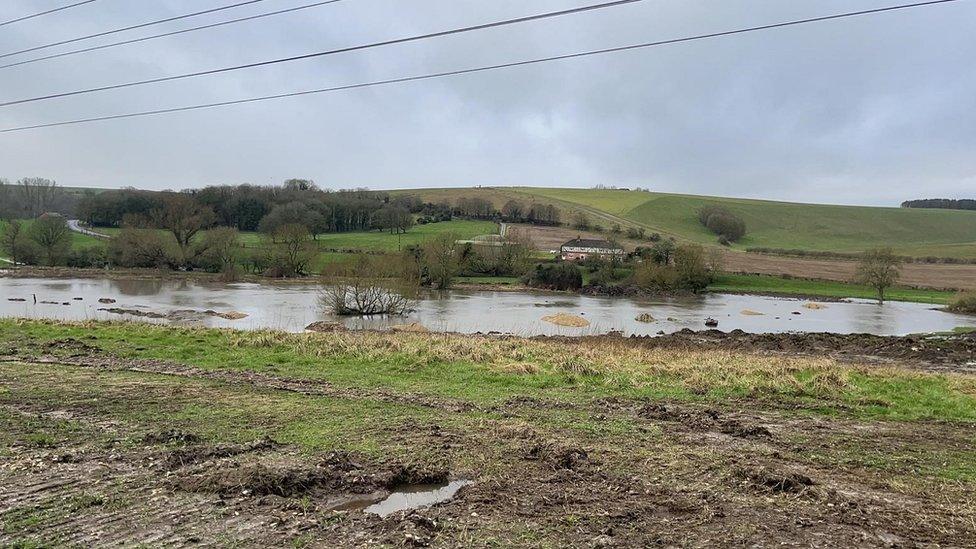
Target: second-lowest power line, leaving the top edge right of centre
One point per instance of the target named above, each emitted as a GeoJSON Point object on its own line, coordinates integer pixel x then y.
{"type": "Point", "coordinates": [416, 38]}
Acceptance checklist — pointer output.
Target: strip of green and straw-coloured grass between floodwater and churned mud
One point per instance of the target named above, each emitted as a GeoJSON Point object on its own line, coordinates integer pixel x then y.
{"type": "Point", "coordinates": [488, 370]}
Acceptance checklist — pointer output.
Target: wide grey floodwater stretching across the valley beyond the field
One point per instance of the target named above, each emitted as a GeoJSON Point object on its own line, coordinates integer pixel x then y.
{"type": "Point", "coordinates": [292, 306]}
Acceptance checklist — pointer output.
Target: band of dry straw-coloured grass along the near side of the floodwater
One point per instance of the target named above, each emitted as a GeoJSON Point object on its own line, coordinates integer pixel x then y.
{"type": "Point", "coordinates": [617, 361]}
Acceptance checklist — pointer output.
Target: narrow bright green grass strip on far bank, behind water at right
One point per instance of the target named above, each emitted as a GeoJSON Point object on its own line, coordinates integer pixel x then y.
{"type": "Point", "coordinates": [763, 284]}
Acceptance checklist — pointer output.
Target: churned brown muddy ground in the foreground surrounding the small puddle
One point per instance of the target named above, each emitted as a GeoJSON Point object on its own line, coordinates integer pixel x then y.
{"type": "Point", "coordinates": [103, 450]}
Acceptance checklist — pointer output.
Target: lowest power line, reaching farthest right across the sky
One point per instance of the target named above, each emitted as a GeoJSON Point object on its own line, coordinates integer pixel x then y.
{"type": "Point", "coordinates": [484, 68]}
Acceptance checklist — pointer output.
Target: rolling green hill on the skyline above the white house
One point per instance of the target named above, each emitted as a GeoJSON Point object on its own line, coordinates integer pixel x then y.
{"type": "Point", "coordinates": [915, 232]}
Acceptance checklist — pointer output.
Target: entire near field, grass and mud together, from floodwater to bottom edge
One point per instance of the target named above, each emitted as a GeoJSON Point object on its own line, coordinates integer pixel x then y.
{"type": "Point", "coordinates": [262, 439]}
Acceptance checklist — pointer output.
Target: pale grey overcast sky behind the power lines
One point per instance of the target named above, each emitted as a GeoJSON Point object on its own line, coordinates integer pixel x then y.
{"type": "Point", "coordinates": [872, 110]}
